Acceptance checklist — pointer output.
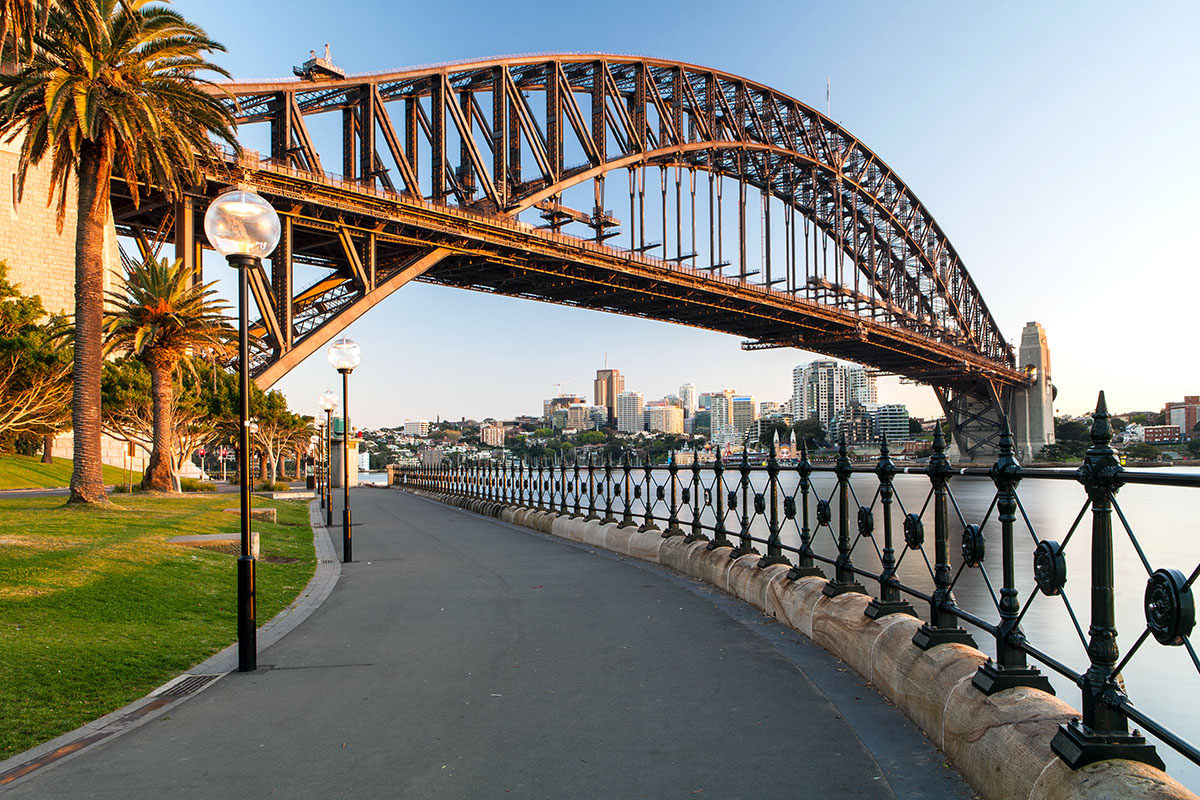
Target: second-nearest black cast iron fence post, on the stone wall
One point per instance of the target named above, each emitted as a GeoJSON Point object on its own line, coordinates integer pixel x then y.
{"type": "Point", "coordinates": [1011, 667]}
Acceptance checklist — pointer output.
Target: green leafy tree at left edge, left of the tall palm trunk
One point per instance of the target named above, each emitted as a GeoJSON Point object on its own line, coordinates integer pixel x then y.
{"type": "Point", "coordinates": [35, 372]}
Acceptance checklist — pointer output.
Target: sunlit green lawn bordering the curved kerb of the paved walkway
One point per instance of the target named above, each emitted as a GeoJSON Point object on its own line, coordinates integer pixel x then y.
{"type": "Point", "coordinates": [98, 609]}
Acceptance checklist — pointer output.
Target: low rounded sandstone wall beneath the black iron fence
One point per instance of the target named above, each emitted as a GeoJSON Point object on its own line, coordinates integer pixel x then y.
{"type": "Point", "coordinates": [1000, 744]}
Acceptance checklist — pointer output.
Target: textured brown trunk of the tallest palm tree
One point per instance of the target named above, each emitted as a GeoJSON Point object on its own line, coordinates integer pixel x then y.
{"type": "Point", "coordinates": [87, 482]}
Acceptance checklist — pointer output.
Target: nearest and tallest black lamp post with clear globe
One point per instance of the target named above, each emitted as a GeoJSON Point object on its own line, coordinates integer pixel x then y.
{"type": "Point", "coordinates": [244, 228]}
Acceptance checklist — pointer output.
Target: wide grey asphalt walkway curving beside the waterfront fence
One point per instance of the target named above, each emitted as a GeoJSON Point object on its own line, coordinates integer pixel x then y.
{"type": "Point", "coordinates": [463, 658]}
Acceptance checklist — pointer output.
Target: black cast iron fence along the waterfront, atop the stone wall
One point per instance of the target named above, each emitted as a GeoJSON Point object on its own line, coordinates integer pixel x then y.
{"type": "Point", "coordinates": [777, 512]}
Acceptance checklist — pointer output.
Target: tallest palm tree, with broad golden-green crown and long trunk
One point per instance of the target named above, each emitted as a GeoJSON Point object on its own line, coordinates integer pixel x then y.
{"type": "Point", "coordinates": [110, 86]}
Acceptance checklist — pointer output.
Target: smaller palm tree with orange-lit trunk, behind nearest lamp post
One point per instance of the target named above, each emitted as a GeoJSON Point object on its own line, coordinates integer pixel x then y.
{"type": "Point", "coordinates": [160, 318]}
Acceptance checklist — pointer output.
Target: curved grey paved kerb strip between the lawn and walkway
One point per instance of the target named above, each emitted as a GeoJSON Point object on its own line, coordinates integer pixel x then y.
{"type": "Point", "coordinates": [194, 682]}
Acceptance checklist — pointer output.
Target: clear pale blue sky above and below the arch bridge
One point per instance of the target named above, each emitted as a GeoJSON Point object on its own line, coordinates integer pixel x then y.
{"type": "Point", "coordinates": [1055, 143]}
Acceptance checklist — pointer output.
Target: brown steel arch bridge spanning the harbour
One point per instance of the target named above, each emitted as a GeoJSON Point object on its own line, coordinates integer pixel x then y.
{"type": "Point", "coordinates": [807, 238]}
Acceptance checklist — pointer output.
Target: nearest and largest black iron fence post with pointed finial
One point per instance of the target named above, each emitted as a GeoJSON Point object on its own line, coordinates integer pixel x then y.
{"type": "Point", "coordinates": [1103, 732]}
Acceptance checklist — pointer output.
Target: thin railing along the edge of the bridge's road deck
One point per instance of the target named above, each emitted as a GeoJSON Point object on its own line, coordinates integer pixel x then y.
{"type": "Point", "coordinates": [251, 160]}
